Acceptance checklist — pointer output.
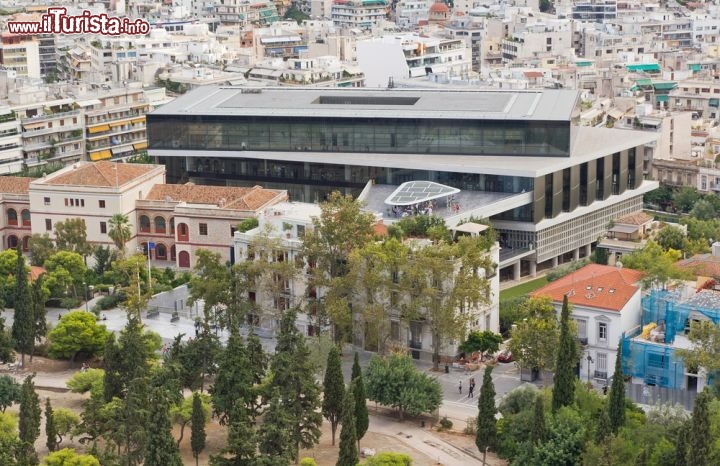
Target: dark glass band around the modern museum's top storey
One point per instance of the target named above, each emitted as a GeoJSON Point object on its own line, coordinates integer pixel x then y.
{"type": "Point", "coordinates": [387, 135]}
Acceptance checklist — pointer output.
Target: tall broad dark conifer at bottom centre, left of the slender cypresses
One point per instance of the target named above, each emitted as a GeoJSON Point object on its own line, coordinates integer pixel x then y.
{"type": "Point", "coordinates": [293, 380]}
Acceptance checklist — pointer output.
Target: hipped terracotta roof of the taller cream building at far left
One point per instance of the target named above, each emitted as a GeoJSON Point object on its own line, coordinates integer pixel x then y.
{"type": "Point", "coordinates": [101, 174]}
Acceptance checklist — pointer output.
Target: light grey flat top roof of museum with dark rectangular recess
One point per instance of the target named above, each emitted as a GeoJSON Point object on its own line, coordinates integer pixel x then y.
{"type": "Point", "coordinates": [533, 105]}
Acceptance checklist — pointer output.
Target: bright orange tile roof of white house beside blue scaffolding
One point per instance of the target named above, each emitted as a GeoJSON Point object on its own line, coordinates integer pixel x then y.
{"type": "Point", "coordinates": [596, 286]}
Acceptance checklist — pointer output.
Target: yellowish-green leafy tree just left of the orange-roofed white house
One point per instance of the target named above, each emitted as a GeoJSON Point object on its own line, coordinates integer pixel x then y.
{"type": "Point", "coordinates": [534, 339]}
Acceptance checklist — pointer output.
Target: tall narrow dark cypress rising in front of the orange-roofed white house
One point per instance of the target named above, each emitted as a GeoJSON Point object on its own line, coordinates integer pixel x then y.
{"type": "Point", "coordinates": [567, 357]}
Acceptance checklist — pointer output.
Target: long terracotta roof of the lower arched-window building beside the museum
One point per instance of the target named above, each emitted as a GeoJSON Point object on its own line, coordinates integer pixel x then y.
{"type": "Point", "coordinates": [225, 197]}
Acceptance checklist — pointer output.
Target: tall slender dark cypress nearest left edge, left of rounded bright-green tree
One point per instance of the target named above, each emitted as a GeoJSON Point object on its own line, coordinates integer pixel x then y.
{"type": "Point", "coordinates": [23, 329]}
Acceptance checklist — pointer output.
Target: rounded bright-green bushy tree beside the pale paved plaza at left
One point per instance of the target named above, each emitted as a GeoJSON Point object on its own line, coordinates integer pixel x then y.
{"type": "Point", "coordinates": [77, 332]}
